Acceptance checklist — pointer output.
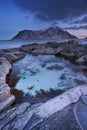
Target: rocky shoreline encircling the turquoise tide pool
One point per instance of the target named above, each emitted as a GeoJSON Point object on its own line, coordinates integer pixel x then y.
{"type": "Point", "coordinates": [25, 116]}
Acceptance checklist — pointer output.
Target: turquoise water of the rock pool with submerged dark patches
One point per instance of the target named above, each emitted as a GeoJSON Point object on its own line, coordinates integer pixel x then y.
{"type": "Point", "coordinates": [46, 72]}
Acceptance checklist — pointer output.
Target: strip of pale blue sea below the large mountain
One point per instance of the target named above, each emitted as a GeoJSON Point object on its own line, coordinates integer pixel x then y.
{"type": "Point", "coordinates": [4, 44]}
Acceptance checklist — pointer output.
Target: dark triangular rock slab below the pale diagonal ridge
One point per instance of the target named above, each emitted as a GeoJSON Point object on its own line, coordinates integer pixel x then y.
{"type": "Point", "coordinates": [63, 120]}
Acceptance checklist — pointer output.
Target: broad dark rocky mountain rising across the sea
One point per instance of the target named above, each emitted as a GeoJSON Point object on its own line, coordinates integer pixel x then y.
{"type": "Point", "coordinates": [52, 33]}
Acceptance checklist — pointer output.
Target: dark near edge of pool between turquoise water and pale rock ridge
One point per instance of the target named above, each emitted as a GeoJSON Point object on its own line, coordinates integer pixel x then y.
{"type": "Point", "coordinates": [41, 96]}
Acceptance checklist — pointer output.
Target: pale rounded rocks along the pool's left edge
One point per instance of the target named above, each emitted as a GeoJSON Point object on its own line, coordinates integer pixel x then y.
{"type": "Point", "coordinates": [6, 98]}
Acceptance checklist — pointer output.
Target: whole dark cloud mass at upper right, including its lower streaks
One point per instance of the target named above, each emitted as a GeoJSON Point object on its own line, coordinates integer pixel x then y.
{"type": "Point", "coordinates": [69, 14]}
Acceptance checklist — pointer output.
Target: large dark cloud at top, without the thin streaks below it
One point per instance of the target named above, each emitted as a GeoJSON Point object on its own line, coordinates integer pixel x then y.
{"type": "Point", "coordinates": [54, 9]}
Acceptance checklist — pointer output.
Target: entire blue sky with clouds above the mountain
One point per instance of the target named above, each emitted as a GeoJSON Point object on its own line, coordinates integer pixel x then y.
{"type": "Point", "coordinates": [17, 15]}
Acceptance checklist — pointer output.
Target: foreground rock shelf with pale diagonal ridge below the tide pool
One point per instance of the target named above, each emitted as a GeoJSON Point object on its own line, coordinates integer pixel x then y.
{"type": "Point", "coordinates": [48, 116]}
